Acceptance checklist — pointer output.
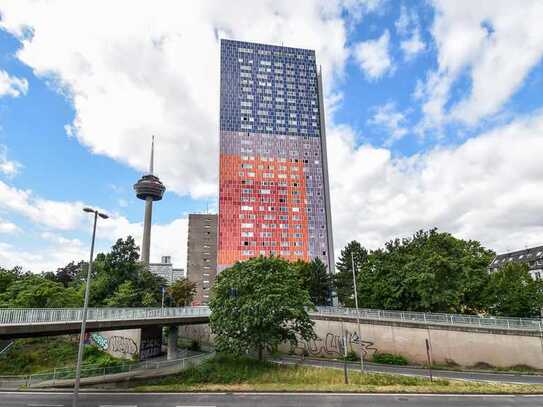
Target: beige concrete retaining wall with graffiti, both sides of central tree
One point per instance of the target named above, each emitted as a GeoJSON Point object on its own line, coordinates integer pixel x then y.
{"type": "Point", "coordinates": [448, 346]}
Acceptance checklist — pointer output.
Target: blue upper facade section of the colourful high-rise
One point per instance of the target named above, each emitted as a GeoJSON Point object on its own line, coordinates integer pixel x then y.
{"type": "Point", "coordinates": [268, 89]}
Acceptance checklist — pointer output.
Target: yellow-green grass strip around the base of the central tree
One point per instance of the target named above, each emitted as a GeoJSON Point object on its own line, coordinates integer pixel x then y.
{"type": "Point", "coordinates": [224, 373]}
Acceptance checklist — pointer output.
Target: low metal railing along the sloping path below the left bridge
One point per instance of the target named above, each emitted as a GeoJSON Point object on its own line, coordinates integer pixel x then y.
{"type": "Point", "coordinates": [95, 371]}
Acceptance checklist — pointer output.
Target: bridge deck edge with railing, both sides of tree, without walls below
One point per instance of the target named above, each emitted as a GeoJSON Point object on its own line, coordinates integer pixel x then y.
{"type": "Point", "coordinates": [31, 322]}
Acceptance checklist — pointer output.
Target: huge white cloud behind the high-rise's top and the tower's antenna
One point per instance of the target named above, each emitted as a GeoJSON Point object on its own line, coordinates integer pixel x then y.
{"type": "Point", "coordinates": [141, 69]}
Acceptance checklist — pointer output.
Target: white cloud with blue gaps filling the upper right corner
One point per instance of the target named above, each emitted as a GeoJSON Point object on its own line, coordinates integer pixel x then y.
{"type": "Point", "coordinates": [496, 43]}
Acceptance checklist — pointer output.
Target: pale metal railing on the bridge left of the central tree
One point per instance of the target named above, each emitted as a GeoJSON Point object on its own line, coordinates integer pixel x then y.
{"type": "Point", "coordinates": [18, 316]}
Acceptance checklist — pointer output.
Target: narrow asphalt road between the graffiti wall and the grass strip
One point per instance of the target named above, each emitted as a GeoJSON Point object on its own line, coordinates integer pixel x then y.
{"type": "Point", "coordinates": [411, 371]}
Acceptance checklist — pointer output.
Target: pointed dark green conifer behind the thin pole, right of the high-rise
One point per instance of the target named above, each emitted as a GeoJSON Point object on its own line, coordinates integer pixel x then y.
{"type": "Point", "coordinates": [343, 279]}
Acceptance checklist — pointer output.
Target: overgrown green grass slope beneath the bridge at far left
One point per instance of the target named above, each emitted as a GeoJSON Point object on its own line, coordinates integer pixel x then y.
{"type": "Point", "coordinates": [34, 355]}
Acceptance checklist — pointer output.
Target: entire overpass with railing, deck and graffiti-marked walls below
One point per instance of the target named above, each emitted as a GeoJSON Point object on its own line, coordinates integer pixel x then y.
{"type": "Point", "coordinates": [459, 339]}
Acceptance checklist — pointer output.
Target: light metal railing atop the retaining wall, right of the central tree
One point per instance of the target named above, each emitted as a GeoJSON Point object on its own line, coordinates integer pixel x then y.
{"type": "Point", "coordinates": [526, 324]}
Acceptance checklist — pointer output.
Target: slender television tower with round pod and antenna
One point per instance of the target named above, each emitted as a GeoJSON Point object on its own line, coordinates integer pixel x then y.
{"type": "Point", "coordinates": [149, 188]}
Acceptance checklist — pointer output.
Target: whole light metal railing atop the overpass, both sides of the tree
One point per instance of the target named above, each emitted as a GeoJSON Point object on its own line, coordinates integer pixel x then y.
{"type": "Point", "coordinates": [23, 316]}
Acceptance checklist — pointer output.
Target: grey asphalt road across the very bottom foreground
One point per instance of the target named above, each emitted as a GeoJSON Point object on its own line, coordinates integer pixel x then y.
{"type": "Point", "coordinates": [24, 399]}
